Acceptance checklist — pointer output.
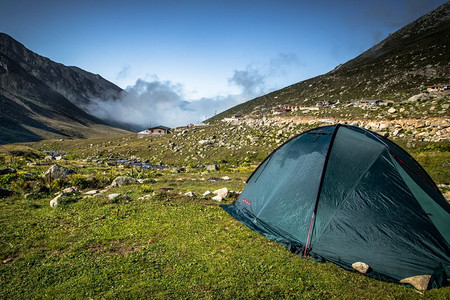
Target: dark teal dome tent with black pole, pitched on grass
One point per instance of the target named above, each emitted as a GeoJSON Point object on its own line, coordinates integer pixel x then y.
{"type": "Point", "coordinates": [349, 196]}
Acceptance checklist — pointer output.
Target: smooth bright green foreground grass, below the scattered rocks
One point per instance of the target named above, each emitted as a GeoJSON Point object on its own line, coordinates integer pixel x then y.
{"type": "Point", "coordinates": [168, 246]}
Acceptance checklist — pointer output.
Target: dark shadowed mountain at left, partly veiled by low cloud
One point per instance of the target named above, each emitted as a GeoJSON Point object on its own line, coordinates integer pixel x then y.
{"type": "Point", "coordinates": [40, 98]}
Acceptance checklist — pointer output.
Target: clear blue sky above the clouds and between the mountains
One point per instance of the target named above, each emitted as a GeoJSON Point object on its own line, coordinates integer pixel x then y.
{"type": "Point", "coordinates": [206, 49]}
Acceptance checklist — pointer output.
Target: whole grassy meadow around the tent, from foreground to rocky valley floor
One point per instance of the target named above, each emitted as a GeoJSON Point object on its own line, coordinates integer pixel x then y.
{"type": "Point", "coordinates": [154, 241]}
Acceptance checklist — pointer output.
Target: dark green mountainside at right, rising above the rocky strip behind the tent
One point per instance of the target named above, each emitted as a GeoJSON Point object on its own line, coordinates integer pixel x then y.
{"type": "Point", "coordinates": [400, 66]}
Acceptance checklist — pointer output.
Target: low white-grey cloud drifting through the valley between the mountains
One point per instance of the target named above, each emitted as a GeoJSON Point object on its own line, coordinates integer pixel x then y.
{"type": "Point", "coordinates": [156, 102]}
